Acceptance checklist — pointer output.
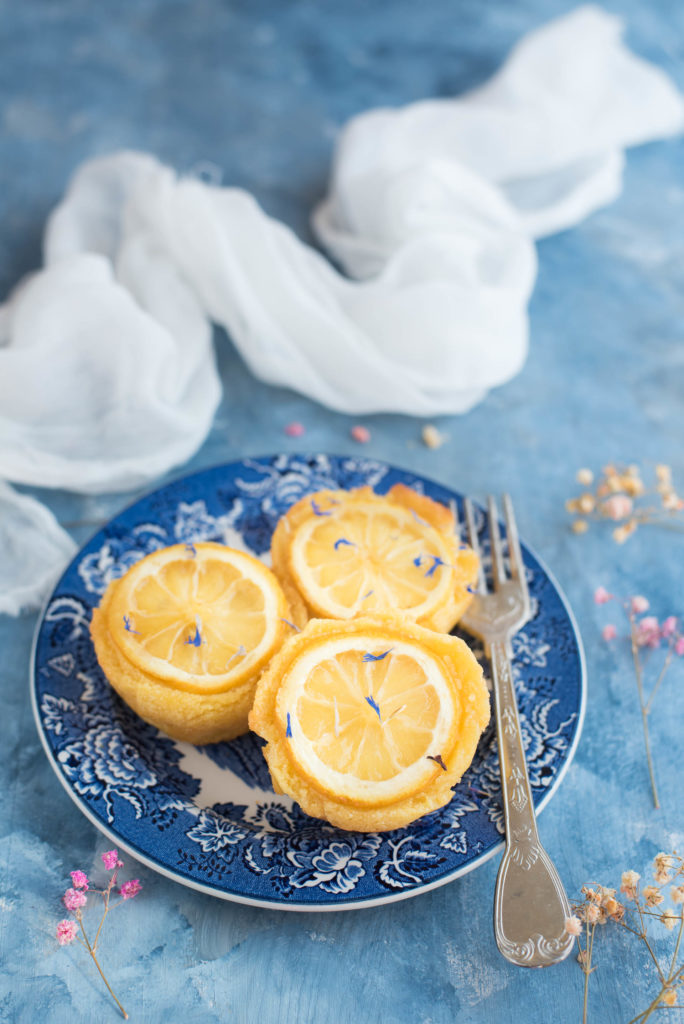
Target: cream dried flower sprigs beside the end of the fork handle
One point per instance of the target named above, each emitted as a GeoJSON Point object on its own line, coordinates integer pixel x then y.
{"type": "Point", "coordinates": [600, 907]}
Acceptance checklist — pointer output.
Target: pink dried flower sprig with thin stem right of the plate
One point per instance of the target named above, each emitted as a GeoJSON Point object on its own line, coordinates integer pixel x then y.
{"type": "Point", "coordinates": [647, 634]}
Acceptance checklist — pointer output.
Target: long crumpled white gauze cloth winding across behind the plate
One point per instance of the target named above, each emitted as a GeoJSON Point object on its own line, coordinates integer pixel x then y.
{"type": "Point", "coordinates": [107, 370]}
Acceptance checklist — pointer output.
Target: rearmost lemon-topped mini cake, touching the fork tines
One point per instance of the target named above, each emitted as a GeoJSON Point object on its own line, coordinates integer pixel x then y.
{"type": "Point", "coordinates": [339, 554]}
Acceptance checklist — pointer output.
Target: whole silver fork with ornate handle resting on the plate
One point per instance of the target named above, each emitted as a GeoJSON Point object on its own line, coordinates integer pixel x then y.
{"type": "Point", "coordinates": [531, 906]}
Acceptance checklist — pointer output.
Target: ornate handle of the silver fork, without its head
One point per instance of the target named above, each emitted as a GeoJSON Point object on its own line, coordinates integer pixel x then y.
{"type": "Point", "coordinates": [531, 906]}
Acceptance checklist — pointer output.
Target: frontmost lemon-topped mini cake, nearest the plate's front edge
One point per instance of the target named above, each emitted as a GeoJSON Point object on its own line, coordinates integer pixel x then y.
{"type": "Point", "coordinates": [370, 722]}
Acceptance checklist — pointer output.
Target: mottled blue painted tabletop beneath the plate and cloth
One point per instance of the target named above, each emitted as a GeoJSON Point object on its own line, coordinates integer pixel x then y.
{"type": "Point", "coordinates": [261, 90]}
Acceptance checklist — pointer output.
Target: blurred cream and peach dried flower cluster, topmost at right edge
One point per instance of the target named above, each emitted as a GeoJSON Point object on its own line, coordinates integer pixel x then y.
{"type": "Point", "coordinates": [620, 496]}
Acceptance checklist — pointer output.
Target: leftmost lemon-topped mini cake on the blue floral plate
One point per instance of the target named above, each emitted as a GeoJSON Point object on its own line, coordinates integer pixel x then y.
{"type": "Point", "coordinates": [186, 633]}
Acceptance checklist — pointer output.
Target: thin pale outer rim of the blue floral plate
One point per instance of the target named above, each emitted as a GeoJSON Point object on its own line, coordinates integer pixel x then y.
{"type": "Point", "coordinates": [294, 907]}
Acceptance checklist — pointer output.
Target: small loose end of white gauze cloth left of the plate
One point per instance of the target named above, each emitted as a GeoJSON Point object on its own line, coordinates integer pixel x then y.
{"type": "Point", "coordinates": [34, 547]}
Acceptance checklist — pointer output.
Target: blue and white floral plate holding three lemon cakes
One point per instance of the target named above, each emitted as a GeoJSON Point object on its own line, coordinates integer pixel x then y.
{"type": "Point", "coordinates": [207, 817]}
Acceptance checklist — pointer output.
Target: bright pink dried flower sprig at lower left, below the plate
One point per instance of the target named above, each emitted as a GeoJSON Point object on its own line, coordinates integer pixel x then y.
{"type": "Point", "coordinates": [76, 900]}
